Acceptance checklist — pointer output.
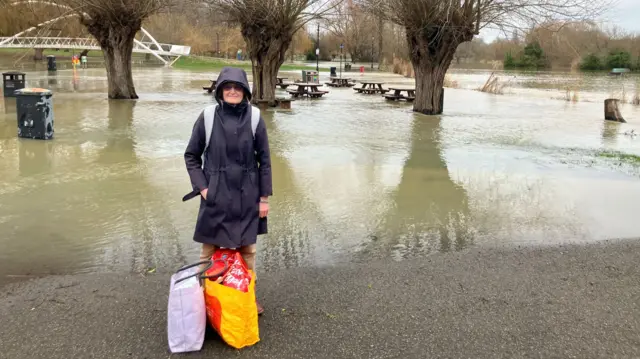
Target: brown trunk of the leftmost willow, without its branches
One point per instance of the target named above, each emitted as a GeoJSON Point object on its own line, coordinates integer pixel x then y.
{"type": "Point", "coordinates": [116, 42]}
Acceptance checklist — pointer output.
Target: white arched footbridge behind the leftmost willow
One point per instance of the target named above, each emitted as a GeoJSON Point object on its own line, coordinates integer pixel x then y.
{"type": "Point", "coordinates": [166, 53]}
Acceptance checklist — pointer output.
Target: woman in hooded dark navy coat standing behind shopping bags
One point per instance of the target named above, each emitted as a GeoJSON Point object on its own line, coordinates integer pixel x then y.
{"type": "Point", "coordinates": [235, 182]}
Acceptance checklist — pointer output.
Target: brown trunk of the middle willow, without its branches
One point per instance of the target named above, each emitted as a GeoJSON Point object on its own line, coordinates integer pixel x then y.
{"type": "Point", "coordinates": [267, 55]}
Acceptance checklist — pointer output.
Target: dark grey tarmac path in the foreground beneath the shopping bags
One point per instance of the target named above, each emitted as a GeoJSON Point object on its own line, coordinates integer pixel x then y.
{"type": "Point", "coordinates": [548, 302]}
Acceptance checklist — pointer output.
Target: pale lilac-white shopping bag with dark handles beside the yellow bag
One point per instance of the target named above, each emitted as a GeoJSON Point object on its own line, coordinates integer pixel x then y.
{"type": "Point", "coordinates": [186, 312]}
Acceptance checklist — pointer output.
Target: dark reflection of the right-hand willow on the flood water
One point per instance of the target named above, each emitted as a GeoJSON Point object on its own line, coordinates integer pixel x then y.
{"type": "Point", "coordinates": [430, 211]}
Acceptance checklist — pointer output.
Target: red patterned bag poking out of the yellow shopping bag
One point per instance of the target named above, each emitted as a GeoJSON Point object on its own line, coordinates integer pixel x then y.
{"type": "Point", "coordinates": [237, 275]}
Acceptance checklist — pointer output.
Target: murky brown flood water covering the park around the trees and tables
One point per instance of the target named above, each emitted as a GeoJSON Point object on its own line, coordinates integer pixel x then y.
{"type": "Point", "coordinates": [356, 178]}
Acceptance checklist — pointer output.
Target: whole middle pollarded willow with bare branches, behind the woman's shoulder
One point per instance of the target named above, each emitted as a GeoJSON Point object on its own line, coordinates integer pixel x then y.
{"type": "Point", "coordinates": [268, 26]}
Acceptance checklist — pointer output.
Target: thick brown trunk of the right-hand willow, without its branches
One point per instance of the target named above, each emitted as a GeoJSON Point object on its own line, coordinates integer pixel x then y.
{"type": "Point", "coordinates": [431, 57]}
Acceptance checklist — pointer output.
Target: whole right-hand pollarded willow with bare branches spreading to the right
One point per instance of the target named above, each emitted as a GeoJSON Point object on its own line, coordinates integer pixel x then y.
{"type": "Point", "coordinates": [435, 28]}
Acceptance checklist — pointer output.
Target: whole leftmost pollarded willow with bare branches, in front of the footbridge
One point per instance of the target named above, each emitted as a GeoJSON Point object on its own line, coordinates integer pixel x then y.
{"type": "Point", "coordinates": [113, 23]}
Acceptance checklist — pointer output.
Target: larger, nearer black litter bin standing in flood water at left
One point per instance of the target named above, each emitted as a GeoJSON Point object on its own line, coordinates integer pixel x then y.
{"type": "Point", "coordinates": [34, 109]}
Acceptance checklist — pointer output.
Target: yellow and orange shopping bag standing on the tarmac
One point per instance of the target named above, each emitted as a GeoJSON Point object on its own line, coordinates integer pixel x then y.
{"type": "Point", "coordinates": [233, 313]}
